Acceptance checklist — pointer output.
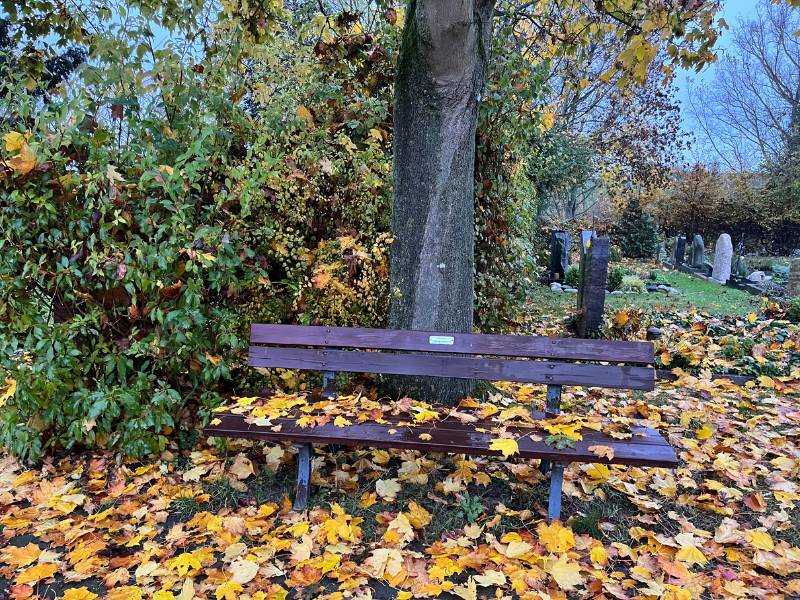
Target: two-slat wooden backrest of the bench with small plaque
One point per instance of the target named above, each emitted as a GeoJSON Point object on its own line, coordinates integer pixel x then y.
{"type": "Point", "coordinates": [461, 355]}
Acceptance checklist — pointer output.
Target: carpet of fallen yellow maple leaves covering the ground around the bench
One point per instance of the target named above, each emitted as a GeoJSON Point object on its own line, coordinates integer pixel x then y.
{"type": "Point", "coordinates": [198, 522]}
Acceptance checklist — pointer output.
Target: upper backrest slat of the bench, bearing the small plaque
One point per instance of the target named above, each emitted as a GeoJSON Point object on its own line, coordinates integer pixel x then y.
{"type": "Point", "coordinates": [462, 343]}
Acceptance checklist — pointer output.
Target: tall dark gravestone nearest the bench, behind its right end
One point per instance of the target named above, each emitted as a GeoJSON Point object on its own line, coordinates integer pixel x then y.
{"type": "Point", "coordinates": [592, 288]}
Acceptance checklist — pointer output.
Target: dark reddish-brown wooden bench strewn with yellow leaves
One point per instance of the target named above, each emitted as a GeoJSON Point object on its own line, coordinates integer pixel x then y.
{"type": "Point", "coordinates": [543, 360]}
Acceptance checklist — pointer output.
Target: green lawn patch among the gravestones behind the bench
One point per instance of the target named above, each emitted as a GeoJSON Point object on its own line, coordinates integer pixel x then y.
{"type": "Point", "coordinates": [696, 293]}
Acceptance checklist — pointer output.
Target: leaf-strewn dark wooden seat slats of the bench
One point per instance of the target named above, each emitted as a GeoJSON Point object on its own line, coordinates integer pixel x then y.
{"type": "Point", "coordinates": [466, 441]}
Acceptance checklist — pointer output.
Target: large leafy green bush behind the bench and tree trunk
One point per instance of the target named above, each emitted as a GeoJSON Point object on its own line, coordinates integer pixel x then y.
{"type": "Point", "coordinates": [141, 239]}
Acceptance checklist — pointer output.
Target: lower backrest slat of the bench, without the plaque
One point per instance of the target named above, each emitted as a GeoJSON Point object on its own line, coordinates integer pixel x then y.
{"type": "Point", "coordinates": [462, 367]}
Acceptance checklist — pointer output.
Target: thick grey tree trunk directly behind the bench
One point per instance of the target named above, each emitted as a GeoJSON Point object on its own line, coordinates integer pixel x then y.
{"type": "Point", "coordinates": [441, 74]}
